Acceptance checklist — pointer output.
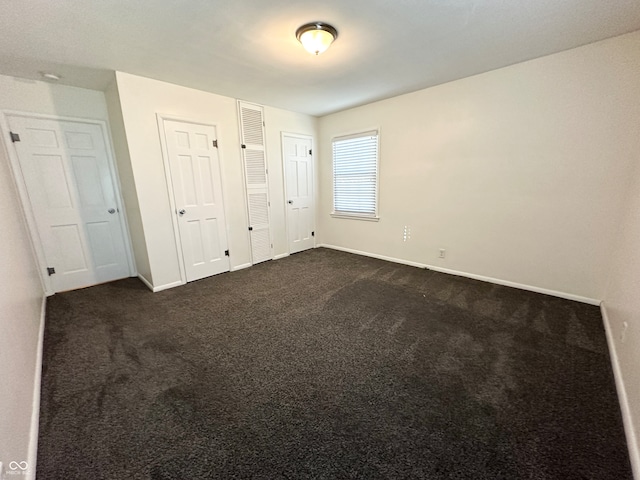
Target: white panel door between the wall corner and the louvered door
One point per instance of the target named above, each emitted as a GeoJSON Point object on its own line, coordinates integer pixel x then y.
{"type": "Point", "coordinates": [197, 191]}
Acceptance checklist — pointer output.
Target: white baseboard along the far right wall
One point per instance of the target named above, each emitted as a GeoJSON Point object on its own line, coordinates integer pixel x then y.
{"type": "Point", "coordinates": [627, 417]}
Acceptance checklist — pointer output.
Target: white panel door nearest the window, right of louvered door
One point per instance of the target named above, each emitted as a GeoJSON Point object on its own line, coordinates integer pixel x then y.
{"type": "Point", "coordinates": [298, 163]}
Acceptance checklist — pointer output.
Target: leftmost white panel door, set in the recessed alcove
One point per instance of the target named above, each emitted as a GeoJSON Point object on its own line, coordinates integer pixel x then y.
{"type": "Point", "coordinates": [65, 167]}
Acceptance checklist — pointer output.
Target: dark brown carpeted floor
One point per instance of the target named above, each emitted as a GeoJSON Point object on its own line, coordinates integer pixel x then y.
{"type": "Point", "coordinates": [327, 365]}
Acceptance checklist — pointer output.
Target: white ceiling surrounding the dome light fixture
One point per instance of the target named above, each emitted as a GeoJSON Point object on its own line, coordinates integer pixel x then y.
{"type": "Point", "coordinates": [247, 48]}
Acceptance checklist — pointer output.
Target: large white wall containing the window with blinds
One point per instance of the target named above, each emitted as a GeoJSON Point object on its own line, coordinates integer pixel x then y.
{"type": "Point", "coordinates": [518, 172]}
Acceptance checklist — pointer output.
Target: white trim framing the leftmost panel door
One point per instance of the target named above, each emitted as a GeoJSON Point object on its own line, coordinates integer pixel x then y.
{"type": "Point", "coordinates": [27, 208]}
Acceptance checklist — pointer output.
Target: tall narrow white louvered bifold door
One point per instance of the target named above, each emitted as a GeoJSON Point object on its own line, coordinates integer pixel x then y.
{"type": "Point", "coordinates": [255, 174]}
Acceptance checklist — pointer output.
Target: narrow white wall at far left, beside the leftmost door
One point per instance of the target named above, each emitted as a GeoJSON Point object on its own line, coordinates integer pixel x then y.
{"type": "Point", "coordinates": [21, 301]}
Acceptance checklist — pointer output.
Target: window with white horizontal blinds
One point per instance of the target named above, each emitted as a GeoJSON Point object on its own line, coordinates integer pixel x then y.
{"type": "Point", "coordinates": [355, 175]}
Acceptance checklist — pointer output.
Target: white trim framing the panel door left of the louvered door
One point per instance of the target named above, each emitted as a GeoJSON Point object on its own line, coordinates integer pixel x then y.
{"type": "Point", "coordinates": [161, 118]}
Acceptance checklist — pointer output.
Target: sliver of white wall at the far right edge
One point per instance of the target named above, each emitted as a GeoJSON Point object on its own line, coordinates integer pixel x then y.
{"type": "Point", "coordinates": [622, 305]}
